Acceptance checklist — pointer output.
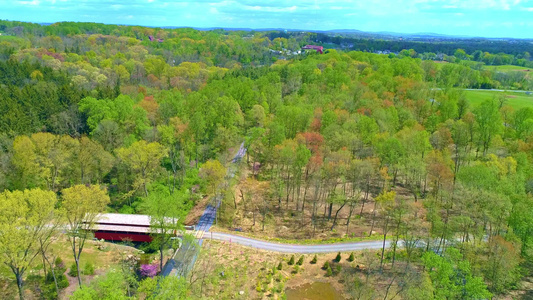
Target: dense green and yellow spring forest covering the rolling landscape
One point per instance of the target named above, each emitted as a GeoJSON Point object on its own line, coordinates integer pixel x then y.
{"type": "Point", "coordinates": [385, 146]}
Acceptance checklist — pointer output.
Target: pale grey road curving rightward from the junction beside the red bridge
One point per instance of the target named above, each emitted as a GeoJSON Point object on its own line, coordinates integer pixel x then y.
{"type": "Point", "coordinates": [289, 248]}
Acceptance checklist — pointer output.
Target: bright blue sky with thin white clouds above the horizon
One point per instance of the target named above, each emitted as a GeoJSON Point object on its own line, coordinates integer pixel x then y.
{"type": "Point", "coordinates": [488, 18]}
